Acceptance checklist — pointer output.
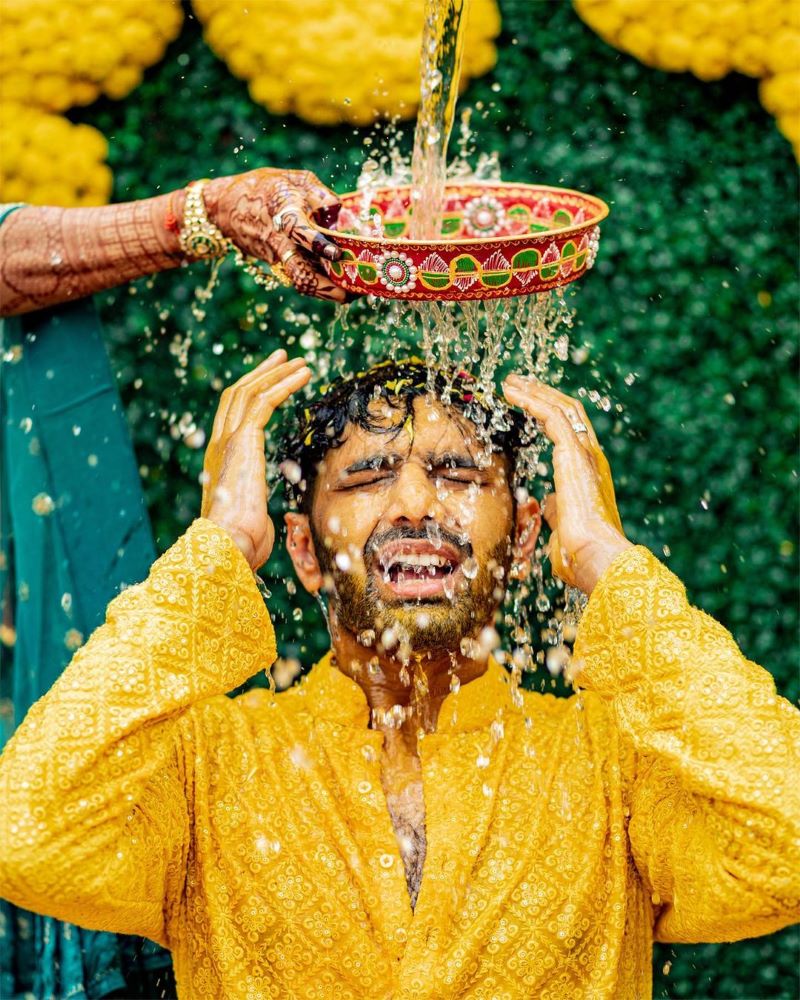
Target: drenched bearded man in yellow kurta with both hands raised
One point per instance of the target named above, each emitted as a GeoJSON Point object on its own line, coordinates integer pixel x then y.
{"type": "Point", "coordinates": [404, 823]}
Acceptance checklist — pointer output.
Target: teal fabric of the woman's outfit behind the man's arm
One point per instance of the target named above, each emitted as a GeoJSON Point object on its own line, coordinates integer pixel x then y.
{"type": "Point", "coordinates": [73, 531]}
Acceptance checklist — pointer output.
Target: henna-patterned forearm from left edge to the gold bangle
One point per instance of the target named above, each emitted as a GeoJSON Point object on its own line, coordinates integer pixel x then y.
{"type": "Point", "coordinates": [53, 255]}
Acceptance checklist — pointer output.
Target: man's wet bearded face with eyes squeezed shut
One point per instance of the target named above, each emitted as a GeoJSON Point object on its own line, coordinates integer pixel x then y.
{"type": "Point", "coordinates": [414, 529]}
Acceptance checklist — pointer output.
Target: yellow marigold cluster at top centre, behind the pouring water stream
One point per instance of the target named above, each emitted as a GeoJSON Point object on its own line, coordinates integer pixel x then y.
{"type": "Point", "coordinates": [332, 61]}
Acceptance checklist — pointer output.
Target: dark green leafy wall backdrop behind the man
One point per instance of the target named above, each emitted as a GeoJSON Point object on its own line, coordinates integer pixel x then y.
{"type": "Point", "coordinates": [688, 320]}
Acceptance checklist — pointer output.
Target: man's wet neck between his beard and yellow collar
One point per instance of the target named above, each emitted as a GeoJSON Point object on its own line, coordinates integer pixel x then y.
{"type": "Point", "coordinates": [418, 686]}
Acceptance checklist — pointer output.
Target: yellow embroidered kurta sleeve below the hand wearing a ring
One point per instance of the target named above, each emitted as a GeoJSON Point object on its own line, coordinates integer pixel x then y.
{"type": "Point", "coordinates": [715, 786]}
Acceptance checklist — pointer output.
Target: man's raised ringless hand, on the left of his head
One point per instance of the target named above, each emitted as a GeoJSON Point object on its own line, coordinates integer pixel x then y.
{"type": "Point", "coordinates": [235, 490]}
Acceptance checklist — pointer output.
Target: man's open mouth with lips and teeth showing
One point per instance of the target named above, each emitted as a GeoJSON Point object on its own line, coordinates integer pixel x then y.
{"type": "Point", "coordinates": [415, 569]}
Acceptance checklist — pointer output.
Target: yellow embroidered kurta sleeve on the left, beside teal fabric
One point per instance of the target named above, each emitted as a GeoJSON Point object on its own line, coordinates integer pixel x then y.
{"type": "Point", "coordinates": [94, 824]}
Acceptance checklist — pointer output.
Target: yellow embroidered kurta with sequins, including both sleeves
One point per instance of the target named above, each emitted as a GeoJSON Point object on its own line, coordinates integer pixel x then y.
{"type": "Point", "coordinates": [251, 836]}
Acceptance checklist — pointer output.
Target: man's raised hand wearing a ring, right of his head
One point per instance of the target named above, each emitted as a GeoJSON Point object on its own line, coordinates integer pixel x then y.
{"type": "Point", "coordinates": [582, 512]}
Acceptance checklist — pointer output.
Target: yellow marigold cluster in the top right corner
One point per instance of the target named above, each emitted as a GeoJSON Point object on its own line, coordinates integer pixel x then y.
{"type": "Point", "coordinates": [760, 38]}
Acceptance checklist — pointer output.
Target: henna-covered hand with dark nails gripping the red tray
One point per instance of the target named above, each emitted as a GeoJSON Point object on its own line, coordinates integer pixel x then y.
{"type": "Point", "coordinates": [266, 213]}
